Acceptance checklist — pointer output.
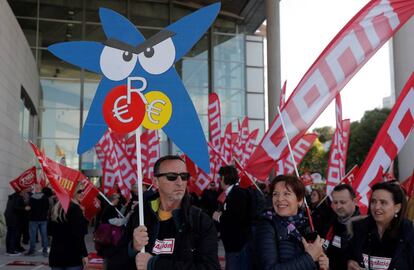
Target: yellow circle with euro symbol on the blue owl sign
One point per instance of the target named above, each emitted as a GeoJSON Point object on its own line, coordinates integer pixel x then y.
{"type": "Point", "coordinates": [158, 110]}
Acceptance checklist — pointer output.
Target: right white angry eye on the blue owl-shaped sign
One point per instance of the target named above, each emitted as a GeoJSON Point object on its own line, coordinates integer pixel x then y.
{"type": "Point", "coordinates": [159, 58]}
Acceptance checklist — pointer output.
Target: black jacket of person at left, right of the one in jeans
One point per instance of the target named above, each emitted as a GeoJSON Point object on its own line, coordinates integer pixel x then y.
{"type": "Point", "coordinates": [68, 244]}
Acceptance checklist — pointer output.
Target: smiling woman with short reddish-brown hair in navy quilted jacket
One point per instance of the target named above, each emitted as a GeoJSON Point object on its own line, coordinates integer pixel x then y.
{"type": "Point", "coordinates": [279, 235]}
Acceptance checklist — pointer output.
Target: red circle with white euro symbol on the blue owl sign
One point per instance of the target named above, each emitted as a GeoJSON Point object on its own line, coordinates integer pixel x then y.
{"type": "Point", "coordinates": [121, 116]}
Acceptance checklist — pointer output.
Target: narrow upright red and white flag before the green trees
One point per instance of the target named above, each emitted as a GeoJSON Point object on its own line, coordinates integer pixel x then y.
{"type": "Point", "coordinates": [337, 156]}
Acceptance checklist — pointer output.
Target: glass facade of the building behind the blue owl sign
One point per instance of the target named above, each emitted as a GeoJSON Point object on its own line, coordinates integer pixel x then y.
{"type": "Point", "coordinates": [216, 63]}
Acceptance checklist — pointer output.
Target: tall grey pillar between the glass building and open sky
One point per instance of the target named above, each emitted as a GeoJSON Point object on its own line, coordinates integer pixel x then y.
{"type": "Point", "coordinates": [273, 56]}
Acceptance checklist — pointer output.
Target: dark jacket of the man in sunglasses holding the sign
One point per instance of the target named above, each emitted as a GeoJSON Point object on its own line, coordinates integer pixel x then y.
{"type": "Point", "coordinates": [195, 243]}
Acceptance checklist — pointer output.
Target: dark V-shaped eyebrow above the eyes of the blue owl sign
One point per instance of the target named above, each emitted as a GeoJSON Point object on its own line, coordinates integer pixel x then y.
{"type": "Point", "coordinates": [151, 42]}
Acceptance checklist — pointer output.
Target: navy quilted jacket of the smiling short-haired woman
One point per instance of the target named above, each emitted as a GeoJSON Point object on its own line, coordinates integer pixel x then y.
{"type": "Point", "coordinates": [275, 249]}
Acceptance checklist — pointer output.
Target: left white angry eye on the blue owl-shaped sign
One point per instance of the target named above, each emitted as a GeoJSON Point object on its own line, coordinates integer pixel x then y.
{"type": "Point", "coordinates": [116, 64]}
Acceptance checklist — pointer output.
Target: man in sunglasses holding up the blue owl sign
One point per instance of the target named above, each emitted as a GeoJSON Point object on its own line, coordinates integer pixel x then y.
{"type": "Point", "coordinates": [176, 234]}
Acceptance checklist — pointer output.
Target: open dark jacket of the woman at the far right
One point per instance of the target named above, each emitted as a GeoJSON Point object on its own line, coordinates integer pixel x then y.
{"type": "Point", "coordinates": [364, 230]}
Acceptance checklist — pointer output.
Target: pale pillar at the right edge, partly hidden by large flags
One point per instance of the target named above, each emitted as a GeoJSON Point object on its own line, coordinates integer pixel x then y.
{"type": "Point", "coordinates": [403, 44]}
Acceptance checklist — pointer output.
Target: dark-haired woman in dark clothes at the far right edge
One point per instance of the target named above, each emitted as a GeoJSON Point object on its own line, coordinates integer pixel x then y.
{"type": "Point", "coordinates": [384, 239]}
